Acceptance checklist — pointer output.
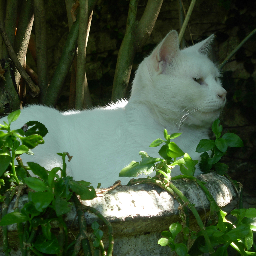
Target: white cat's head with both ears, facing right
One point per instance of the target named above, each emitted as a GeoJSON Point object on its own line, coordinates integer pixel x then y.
{"type": "Point", "coordinates": [180, 86]}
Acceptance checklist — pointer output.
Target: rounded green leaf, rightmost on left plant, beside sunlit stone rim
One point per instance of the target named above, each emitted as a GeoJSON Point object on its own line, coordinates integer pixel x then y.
{"type": "Point", "coordinates": [83, 189]}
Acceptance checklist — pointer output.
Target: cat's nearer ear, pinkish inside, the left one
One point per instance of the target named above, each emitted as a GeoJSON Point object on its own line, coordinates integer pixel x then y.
{"type": "Point", "coordinates": [165, 52]}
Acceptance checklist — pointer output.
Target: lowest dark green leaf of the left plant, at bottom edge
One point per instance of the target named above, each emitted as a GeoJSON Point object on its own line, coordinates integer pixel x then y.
{"type": "Point", "coordinates": [47, 246]}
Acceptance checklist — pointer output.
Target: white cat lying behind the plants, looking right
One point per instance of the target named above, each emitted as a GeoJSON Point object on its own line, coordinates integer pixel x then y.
{"type": "Point", "coordinates": [177, 90]}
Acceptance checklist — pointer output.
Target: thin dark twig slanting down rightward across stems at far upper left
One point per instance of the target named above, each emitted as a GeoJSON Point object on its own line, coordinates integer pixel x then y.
{"type": "Point", "coordinates": [34, 88]}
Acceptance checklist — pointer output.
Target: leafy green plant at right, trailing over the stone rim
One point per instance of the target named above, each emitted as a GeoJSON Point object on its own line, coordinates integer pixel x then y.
{"type": "Point", "coordinates": [213, 239]}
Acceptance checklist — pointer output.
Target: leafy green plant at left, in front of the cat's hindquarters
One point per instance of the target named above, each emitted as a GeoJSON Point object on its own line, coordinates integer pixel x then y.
{"type": "Point", "coordinates": [49, 197]}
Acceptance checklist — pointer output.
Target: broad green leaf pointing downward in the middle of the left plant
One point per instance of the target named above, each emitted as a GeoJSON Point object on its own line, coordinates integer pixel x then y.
{"type": "Point", "coordinates": [41, 200]}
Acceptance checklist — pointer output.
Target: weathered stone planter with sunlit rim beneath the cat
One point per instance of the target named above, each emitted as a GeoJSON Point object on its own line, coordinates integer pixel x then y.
{"type": "Point", "coordinates": [139, 213]}
